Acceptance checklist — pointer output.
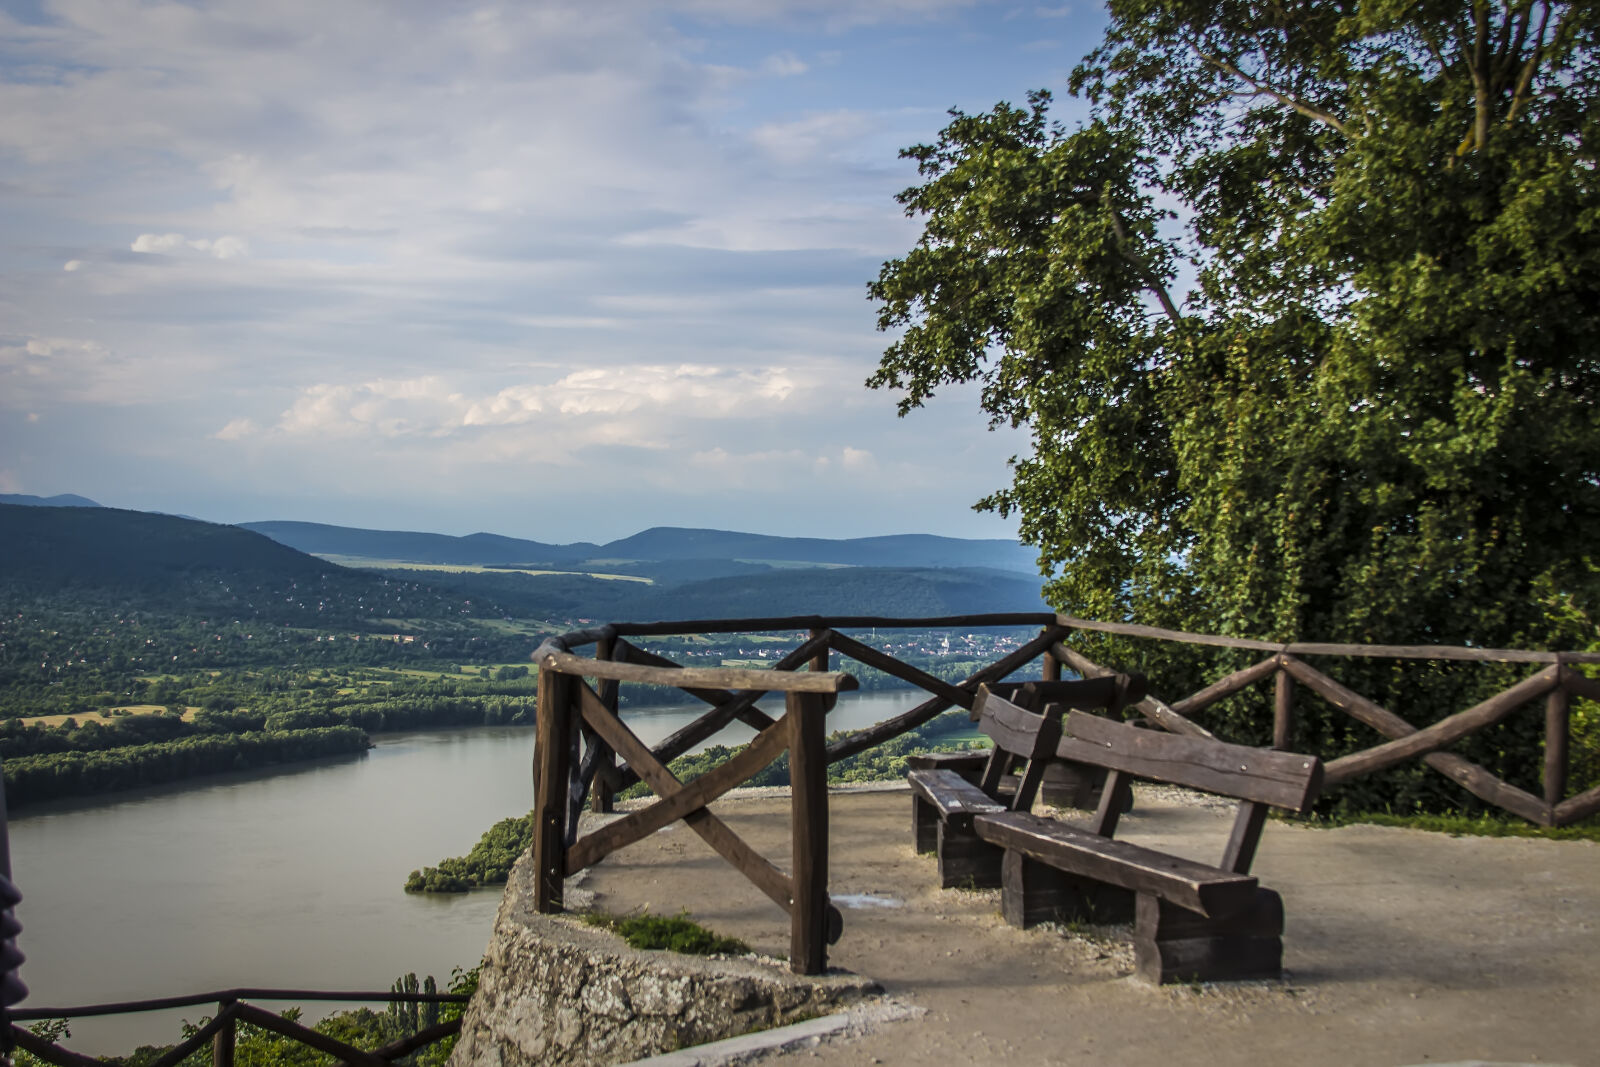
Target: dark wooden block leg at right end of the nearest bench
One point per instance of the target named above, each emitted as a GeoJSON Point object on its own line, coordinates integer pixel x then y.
{"type": "Point", "coordinates": [1172, 945]}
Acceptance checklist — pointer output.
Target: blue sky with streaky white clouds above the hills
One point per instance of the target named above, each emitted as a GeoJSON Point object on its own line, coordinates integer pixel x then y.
{"type": "Point", "coordinates": [556, 271]}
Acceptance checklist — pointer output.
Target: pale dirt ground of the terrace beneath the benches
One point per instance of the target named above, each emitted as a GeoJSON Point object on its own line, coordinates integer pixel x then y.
{"type": "Point", "coordinates": [1402, 948]}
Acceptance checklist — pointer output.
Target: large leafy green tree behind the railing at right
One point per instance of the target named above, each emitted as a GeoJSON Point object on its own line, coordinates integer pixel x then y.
{"type": "Point", "coordinates": [1303, 319]}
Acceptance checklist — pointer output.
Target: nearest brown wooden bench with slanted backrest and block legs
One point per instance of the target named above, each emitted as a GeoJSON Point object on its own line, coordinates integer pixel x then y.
{"type": "Point", "coordinates": [1193, 922]}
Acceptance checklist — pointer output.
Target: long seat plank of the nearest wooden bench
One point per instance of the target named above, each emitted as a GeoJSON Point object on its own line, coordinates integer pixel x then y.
{"type": "Point", "coordinates": [1186, 884]}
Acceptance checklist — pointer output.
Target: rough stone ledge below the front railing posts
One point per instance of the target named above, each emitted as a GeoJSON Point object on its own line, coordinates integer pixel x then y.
{"type": "Point", "coordinates": [554, 991]}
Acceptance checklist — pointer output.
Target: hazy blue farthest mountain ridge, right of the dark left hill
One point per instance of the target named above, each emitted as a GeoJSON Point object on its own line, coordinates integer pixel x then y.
{"type": "Point", "coordinates": [657, 545]}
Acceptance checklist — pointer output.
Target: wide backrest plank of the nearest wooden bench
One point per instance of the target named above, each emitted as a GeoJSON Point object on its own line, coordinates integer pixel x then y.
{"type": "Point", "coordinates": [1284, 780]}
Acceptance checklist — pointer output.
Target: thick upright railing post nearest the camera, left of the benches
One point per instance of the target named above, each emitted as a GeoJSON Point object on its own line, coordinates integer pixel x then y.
{"type": "Point", "coordinates": [809, 817]}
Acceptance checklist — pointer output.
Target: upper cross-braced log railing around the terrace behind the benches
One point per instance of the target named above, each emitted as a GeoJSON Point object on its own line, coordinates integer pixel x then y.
{"type": "Point", "coordinates": [569, 775]}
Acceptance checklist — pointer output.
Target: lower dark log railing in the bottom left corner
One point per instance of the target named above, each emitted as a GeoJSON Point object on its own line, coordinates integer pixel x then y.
{"type": "Point", "coordinates": [231, 1010]}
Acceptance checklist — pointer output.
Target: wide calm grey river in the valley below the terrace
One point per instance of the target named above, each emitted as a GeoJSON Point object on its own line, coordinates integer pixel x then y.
{"type": "Point", "coordinates": [289, 879]}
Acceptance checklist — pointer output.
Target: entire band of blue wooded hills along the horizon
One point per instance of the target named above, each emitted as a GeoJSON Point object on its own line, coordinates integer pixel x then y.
{"type": "Point", "coordinates": [268, 569]}
